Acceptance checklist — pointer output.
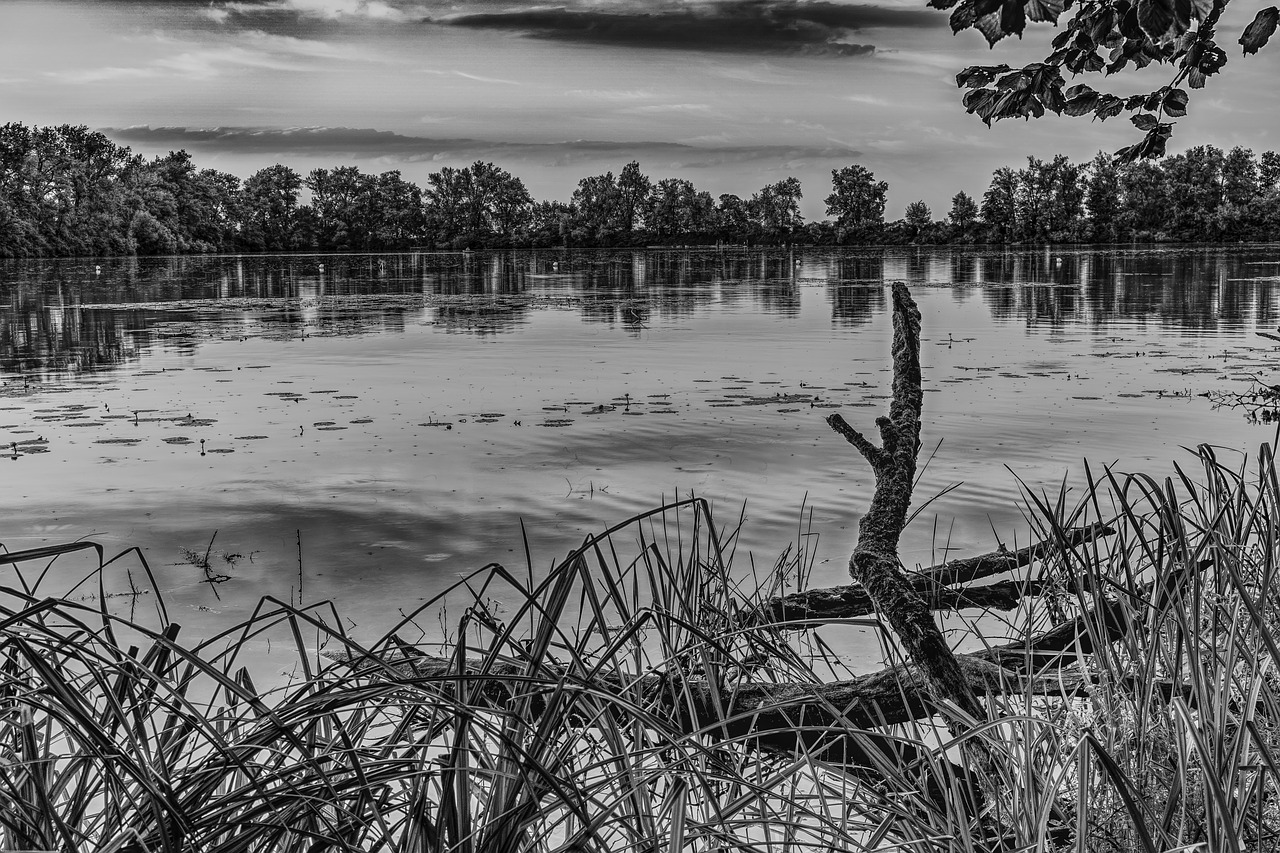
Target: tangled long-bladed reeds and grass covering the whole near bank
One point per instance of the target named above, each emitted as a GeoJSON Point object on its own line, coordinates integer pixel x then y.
{"type": "Point", "coordinates": [575, 719]}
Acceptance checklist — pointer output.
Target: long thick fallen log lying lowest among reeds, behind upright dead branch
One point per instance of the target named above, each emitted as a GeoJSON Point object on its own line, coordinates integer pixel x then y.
{"type": "Point", "coordinates": [808, 711]}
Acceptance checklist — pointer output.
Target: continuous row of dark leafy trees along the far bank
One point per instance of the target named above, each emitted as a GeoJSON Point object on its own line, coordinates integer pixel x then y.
{"type": "Point", "coordinates": [72, 191]}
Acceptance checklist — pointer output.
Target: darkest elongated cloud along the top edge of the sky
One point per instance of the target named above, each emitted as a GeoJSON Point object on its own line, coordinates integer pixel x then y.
{"type": "Point", "coordinates": [744, 26]}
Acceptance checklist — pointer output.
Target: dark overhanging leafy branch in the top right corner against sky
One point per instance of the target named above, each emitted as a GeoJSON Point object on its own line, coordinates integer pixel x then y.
{"type": "Point", "coordinates": [1103, 37]}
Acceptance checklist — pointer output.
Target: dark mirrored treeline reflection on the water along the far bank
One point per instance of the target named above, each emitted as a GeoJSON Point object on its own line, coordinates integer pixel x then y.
{"type": "Point", "coordinates": [89, 314]}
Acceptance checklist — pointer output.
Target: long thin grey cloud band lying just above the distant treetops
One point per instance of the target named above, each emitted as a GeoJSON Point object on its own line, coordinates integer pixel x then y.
{"type": "Point", "coordinates": [385, 145]}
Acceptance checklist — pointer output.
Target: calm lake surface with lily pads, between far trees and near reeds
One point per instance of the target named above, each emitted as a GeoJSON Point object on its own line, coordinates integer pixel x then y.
{"type": "Point", "coordinates": [404, 414]}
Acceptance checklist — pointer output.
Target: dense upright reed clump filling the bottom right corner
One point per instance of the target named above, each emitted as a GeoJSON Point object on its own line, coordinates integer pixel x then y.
{"type": "Point", "coordinates": [1177, 741]}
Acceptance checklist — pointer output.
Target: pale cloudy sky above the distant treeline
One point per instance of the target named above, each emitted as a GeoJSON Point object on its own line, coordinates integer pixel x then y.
{"type": "Point", "coordinates": [730, 94]}
